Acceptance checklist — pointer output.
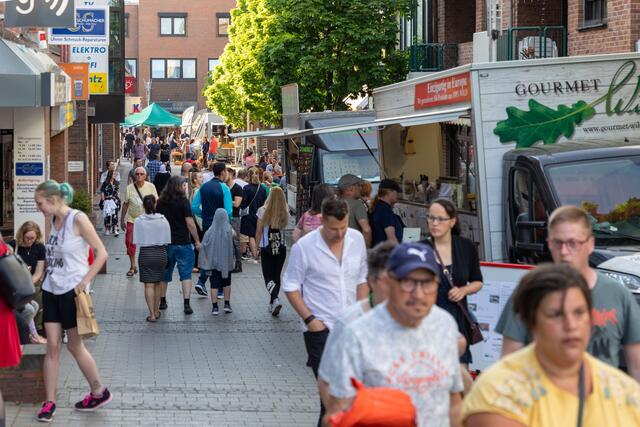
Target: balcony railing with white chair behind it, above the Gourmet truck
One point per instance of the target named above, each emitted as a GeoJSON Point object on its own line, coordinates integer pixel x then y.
{"type": "Point", "coordinates": [532, 42]}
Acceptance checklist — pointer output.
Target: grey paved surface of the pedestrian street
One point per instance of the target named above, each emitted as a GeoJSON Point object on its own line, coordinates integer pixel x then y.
{"type": "Point", "coordinates": [240, 369]}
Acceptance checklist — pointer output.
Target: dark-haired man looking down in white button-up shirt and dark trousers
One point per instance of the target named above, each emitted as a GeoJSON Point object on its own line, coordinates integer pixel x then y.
{"type": "Point", "coordinates": [326, 273]}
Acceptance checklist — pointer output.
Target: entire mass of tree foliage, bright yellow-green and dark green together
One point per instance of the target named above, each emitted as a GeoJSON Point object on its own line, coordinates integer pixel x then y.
{"type": "Point", "coordinates": [333, 49]}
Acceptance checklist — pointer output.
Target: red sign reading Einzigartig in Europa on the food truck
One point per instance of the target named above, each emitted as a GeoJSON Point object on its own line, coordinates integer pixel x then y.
{"type": "Point", "coordinates": [444, 91]}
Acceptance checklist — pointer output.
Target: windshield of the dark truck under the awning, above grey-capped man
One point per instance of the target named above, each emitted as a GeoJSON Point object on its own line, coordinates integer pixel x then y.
{"type": "Point", "coordinates": [360, 163]}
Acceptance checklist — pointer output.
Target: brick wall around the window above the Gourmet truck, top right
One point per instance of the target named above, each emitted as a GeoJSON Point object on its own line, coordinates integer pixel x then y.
{"type": "Point", "coordinates": [619, 35]}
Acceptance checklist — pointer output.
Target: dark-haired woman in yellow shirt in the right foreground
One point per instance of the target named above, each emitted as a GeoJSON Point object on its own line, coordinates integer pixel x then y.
{"type": "Point", "coordinates": [541, 384]}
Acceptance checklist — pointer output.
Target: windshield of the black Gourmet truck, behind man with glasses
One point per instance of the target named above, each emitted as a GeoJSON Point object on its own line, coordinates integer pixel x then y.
{"type": "Point", "coordinates": [609, 190]}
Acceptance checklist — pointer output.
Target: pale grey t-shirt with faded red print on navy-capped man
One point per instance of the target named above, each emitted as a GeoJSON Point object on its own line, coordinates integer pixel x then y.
{"type": "Point", "coordinates": [422, 361]}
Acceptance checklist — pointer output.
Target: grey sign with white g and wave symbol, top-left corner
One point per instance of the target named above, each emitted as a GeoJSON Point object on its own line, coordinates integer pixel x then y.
{"type": "Point", "coordinates": [39, 13]}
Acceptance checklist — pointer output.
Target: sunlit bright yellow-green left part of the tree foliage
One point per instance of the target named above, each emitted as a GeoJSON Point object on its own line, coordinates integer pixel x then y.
{"type": "Point", "coordinates": [237, 84]}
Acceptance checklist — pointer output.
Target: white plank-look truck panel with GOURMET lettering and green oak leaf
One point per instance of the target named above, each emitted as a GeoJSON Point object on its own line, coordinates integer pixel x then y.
{"type": "Point", "coordinates": [569, 101]}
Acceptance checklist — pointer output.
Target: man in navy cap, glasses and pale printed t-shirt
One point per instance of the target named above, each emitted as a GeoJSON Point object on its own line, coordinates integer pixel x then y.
{"type": "Point", "coordinates": [407, 343]}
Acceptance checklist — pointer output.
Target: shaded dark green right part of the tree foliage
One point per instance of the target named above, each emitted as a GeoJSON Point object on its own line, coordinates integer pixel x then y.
{"type": "Point", "coordinates": [333, 49]}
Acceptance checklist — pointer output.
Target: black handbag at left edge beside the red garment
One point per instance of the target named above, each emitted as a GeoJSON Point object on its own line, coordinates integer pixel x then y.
{"type": "Point", "coordinates": [16, 286]}
